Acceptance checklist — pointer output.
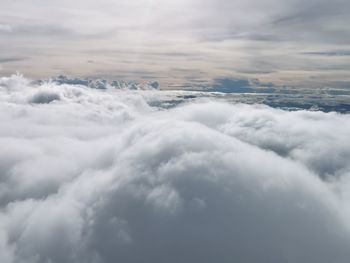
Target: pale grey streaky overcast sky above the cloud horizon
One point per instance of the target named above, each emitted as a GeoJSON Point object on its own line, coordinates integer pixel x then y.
{"type": "Point", "coordinates": [289, 42]}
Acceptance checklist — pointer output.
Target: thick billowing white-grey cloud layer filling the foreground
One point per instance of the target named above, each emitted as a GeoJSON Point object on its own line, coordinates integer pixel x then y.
{"type": "Point", "coordinates": [100, 176]}
